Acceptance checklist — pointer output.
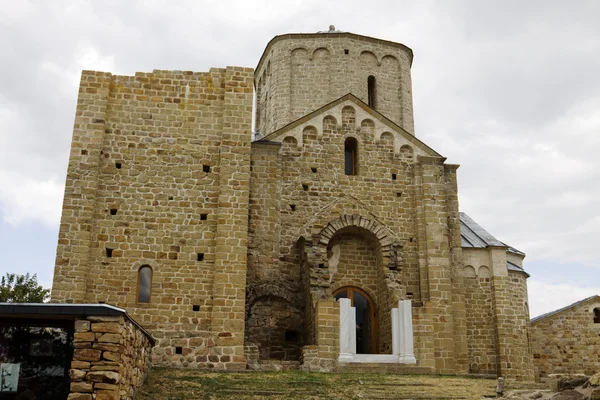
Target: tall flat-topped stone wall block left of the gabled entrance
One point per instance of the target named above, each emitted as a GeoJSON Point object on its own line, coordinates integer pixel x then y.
{"type": "Point", "coordinates": [159, 176]}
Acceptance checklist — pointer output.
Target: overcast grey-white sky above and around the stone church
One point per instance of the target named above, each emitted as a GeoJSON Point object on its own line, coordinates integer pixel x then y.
{"type": "Point", "coordinates": [508, 89]}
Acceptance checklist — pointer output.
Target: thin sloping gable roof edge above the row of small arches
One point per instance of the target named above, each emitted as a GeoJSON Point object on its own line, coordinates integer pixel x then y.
{"type": "Point", "coordinates": [358, 102]}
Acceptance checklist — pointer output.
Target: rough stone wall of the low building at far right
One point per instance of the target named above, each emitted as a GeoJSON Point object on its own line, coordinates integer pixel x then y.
{"type": "Point", "coordinates": [567, 342]}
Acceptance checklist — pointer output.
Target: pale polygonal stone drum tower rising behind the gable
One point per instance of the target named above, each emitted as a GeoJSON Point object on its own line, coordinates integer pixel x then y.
{"type": "Point", "coordinates": [300, 73]}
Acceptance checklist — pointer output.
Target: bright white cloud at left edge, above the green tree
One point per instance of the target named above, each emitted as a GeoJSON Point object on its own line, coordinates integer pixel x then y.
{"type": "Point", "coordinates": [26, 200]}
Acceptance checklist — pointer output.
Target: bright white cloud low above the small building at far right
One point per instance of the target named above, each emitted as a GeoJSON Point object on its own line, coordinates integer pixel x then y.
{"type": "Point", "coordinates": [545, 297]}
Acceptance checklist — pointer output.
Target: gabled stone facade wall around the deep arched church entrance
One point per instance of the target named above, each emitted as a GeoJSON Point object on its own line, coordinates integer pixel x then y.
{"type": "Point", "coordinates": [304, 181]}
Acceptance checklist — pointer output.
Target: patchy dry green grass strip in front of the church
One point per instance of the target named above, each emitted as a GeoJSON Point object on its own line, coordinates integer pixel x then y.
{"type": "Point", "coordinates": [180, 384]}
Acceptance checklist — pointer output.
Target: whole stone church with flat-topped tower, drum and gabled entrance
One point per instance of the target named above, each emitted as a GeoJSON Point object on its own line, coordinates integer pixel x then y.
{"type": "Point", "coordinates": [329, 238]}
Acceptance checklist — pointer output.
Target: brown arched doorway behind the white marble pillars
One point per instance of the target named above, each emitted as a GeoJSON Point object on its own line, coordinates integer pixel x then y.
{"type": "Point", "coordinates": [366, 318]}
